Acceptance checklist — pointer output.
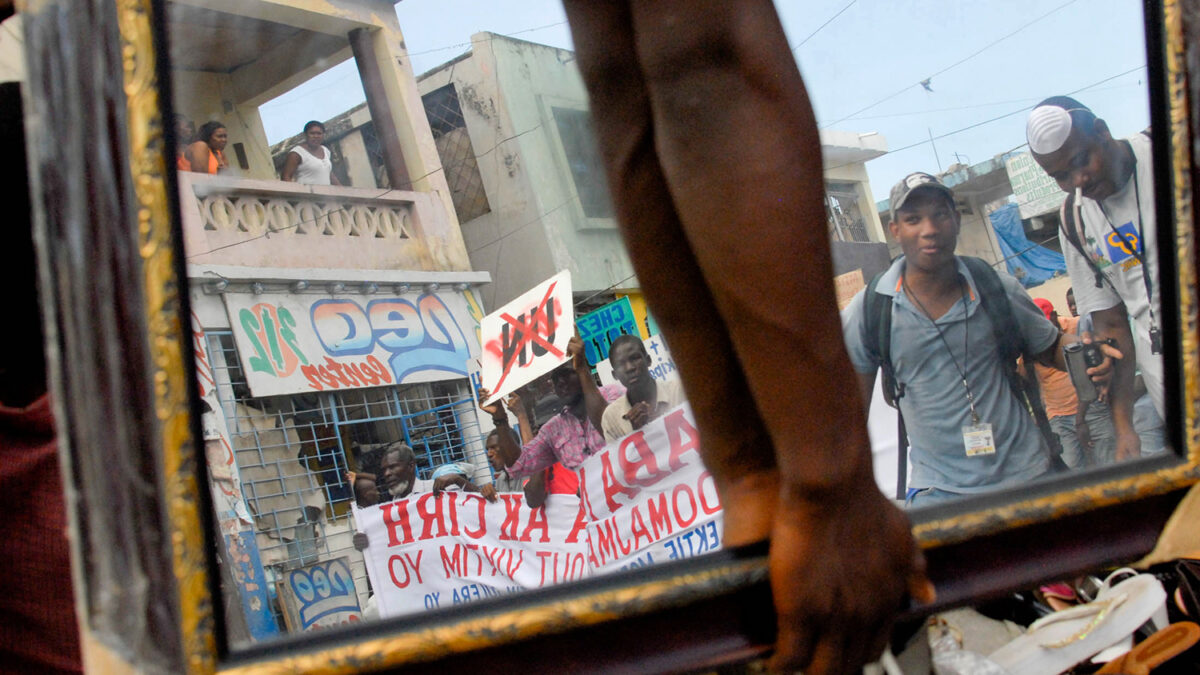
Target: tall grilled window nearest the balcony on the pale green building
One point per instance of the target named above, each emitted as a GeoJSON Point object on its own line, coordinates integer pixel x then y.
{"type": "Point", "coordinates": [457, 153]}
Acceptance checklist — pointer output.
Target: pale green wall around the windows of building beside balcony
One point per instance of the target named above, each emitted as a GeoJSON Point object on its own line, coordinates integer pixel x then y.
{"type": "Point", "coordinates": [507, 89]}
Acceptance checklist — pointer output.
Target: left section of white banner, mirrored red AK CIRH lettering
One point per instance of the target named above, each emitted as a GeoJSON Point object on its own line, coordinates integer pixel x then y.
{"type": "Point", "coordinates": [441, 551]}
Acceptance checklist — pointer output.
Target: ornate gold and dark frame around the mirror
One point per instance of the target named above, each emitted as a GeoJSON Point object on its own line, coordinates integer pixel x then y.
{"type": "Point", "coordinates": [728, 589]}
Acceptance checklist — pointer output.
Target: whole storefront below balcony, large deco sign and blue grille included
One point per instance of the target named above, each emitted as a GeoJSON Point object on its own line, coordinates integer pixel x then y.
{"type": "Point", "coordinates": [304, 380]}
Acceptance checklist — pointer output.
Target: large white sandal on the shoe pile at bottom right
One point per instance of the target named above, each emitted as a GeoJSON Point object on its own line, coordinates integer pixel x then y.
{"type": "Point", "coordinates": [1055, 643]}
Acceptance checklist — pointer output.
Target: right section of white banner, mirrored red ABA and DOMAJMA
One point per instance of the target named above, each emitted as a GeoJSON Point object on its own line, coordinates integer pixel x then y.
{"type": "Point", "coordinates": [650, 499]}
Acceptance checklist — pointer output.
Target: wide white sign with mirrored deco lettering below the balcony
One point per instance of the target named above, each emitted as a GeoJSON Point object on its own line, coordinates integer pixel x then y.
{"type": "Point", "coordinates": [292, 344]}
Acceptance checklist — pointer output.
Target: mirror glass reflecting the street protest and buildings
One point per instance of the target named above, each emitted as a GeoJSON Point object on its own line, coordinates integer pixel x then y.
{"type": "Point", "coordinates": [359, 190]}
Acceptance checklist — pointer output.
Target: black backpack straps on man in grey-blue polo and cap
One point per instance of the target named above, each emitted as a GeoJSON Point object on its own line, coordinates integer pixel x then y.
{"type": "Point", "coordinates": [1010, 345]}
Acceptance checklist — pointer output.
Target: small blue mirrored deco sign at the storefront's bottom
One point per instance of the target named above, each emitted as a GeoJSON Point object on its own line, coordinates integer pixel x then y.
{"type": "Point", "coordinates": [321, 596]}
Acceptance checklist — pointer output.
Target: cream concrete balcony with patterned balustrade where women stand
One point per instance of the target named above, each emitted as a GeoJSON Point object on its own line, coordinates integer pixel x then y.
{"type": "Point", "coordinates": [231, 58]}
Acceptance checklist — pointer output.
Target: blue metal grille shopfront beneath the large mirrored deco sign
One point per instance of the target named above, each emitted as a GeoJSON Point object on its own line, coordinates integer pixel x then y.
{"type": "Point", "coordinates": [293, 453]}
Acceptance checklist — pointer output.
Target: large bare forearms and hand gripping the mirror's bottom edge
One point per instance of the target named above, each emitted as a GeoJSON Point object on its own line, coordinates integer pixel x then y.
{"type": "Point", "coordinates": [706, 207]}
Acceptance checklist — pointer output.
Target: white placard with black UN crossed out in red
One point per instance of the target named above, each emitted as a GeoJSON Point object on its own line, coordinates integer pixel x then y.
{"type": "Point", "coordinates": [527, 338]}
